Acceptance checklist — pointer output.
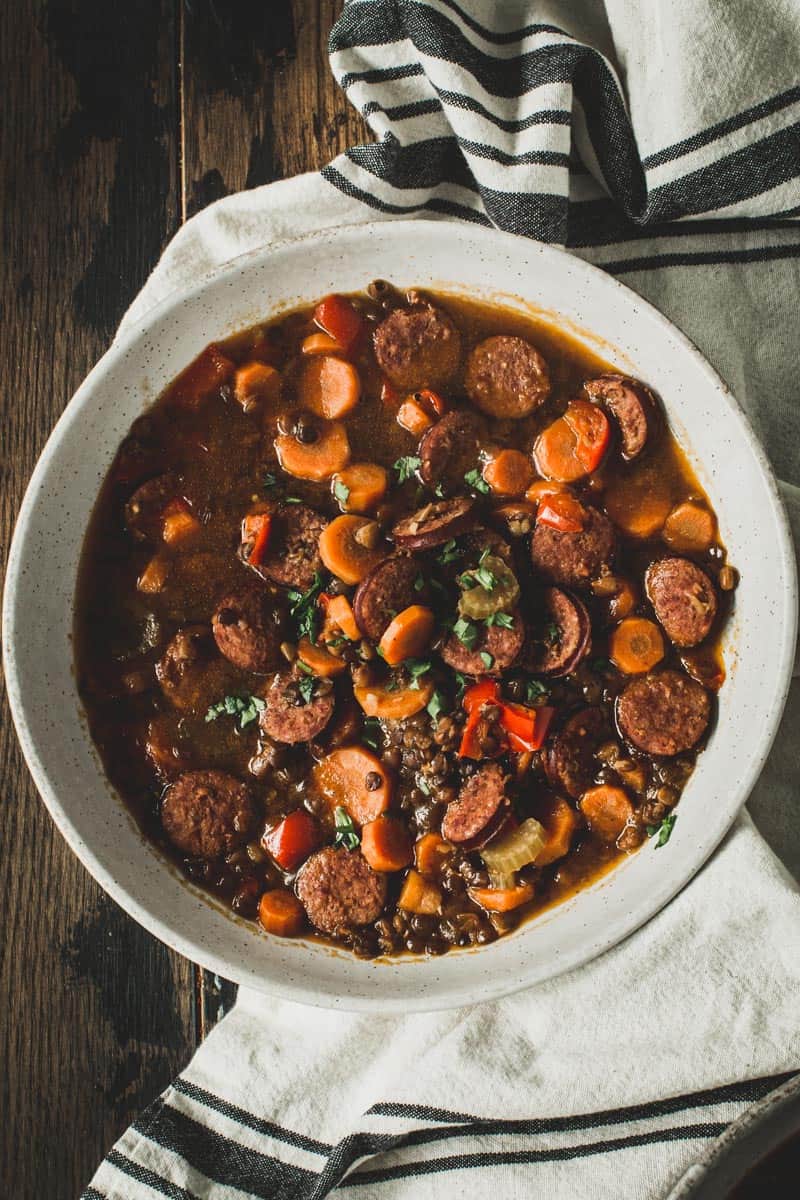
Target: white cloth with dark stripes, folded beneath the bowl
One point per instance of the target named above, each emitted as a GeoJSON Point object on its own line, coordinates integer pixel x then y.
{"type": "Point", "coordinates": [664, 146]}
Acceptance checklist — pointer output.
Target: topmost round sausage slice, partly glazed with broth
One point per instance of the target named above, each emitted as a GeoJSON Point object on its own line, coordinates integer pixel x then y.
{"type": "Point", "coordinates": [418, 347]}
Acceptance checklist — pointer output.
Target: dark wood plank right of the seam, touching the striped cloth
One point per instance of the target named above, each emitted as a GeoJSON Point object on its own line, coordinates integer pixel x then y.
{"type": "Point", "coordinates": [258, 104]}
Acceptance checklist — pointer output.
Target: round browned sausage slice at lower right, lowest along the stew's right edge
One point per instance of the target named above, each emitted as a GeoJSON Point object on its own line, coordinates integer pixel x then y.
{"type": "Point", "coordinates": [664, 713]}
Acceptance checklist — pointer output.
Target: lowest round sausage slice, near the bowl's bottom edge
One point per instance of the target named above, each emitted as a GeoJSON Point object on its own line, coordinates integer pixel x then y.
{"type": "Point", "coordinates": [339, 890]}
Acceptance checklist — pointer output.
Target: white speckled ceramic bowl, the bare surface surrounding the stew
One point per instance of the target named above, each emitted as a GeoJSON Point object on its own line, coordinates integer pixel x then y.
{"type": "Point", "coordinates": [39, 603]}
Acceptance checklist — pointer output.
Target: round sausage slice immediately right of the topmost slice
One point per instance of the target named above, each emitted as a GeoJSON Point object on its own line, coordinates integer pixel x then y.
{"type": "Point", "coordinates": [507, 377]}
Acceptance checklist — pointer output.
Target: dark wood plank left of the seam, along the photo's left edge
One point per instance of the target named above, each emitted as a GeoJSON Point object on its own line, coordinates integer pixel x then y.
{"type": "Point", "coordinates": [97, 1016]}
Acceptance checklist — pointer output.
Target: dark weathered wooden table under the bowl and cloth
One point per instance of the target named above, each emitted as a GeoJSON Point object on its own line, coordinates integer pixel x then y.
{"type": "Point", "coordinates": [122, 121]}
